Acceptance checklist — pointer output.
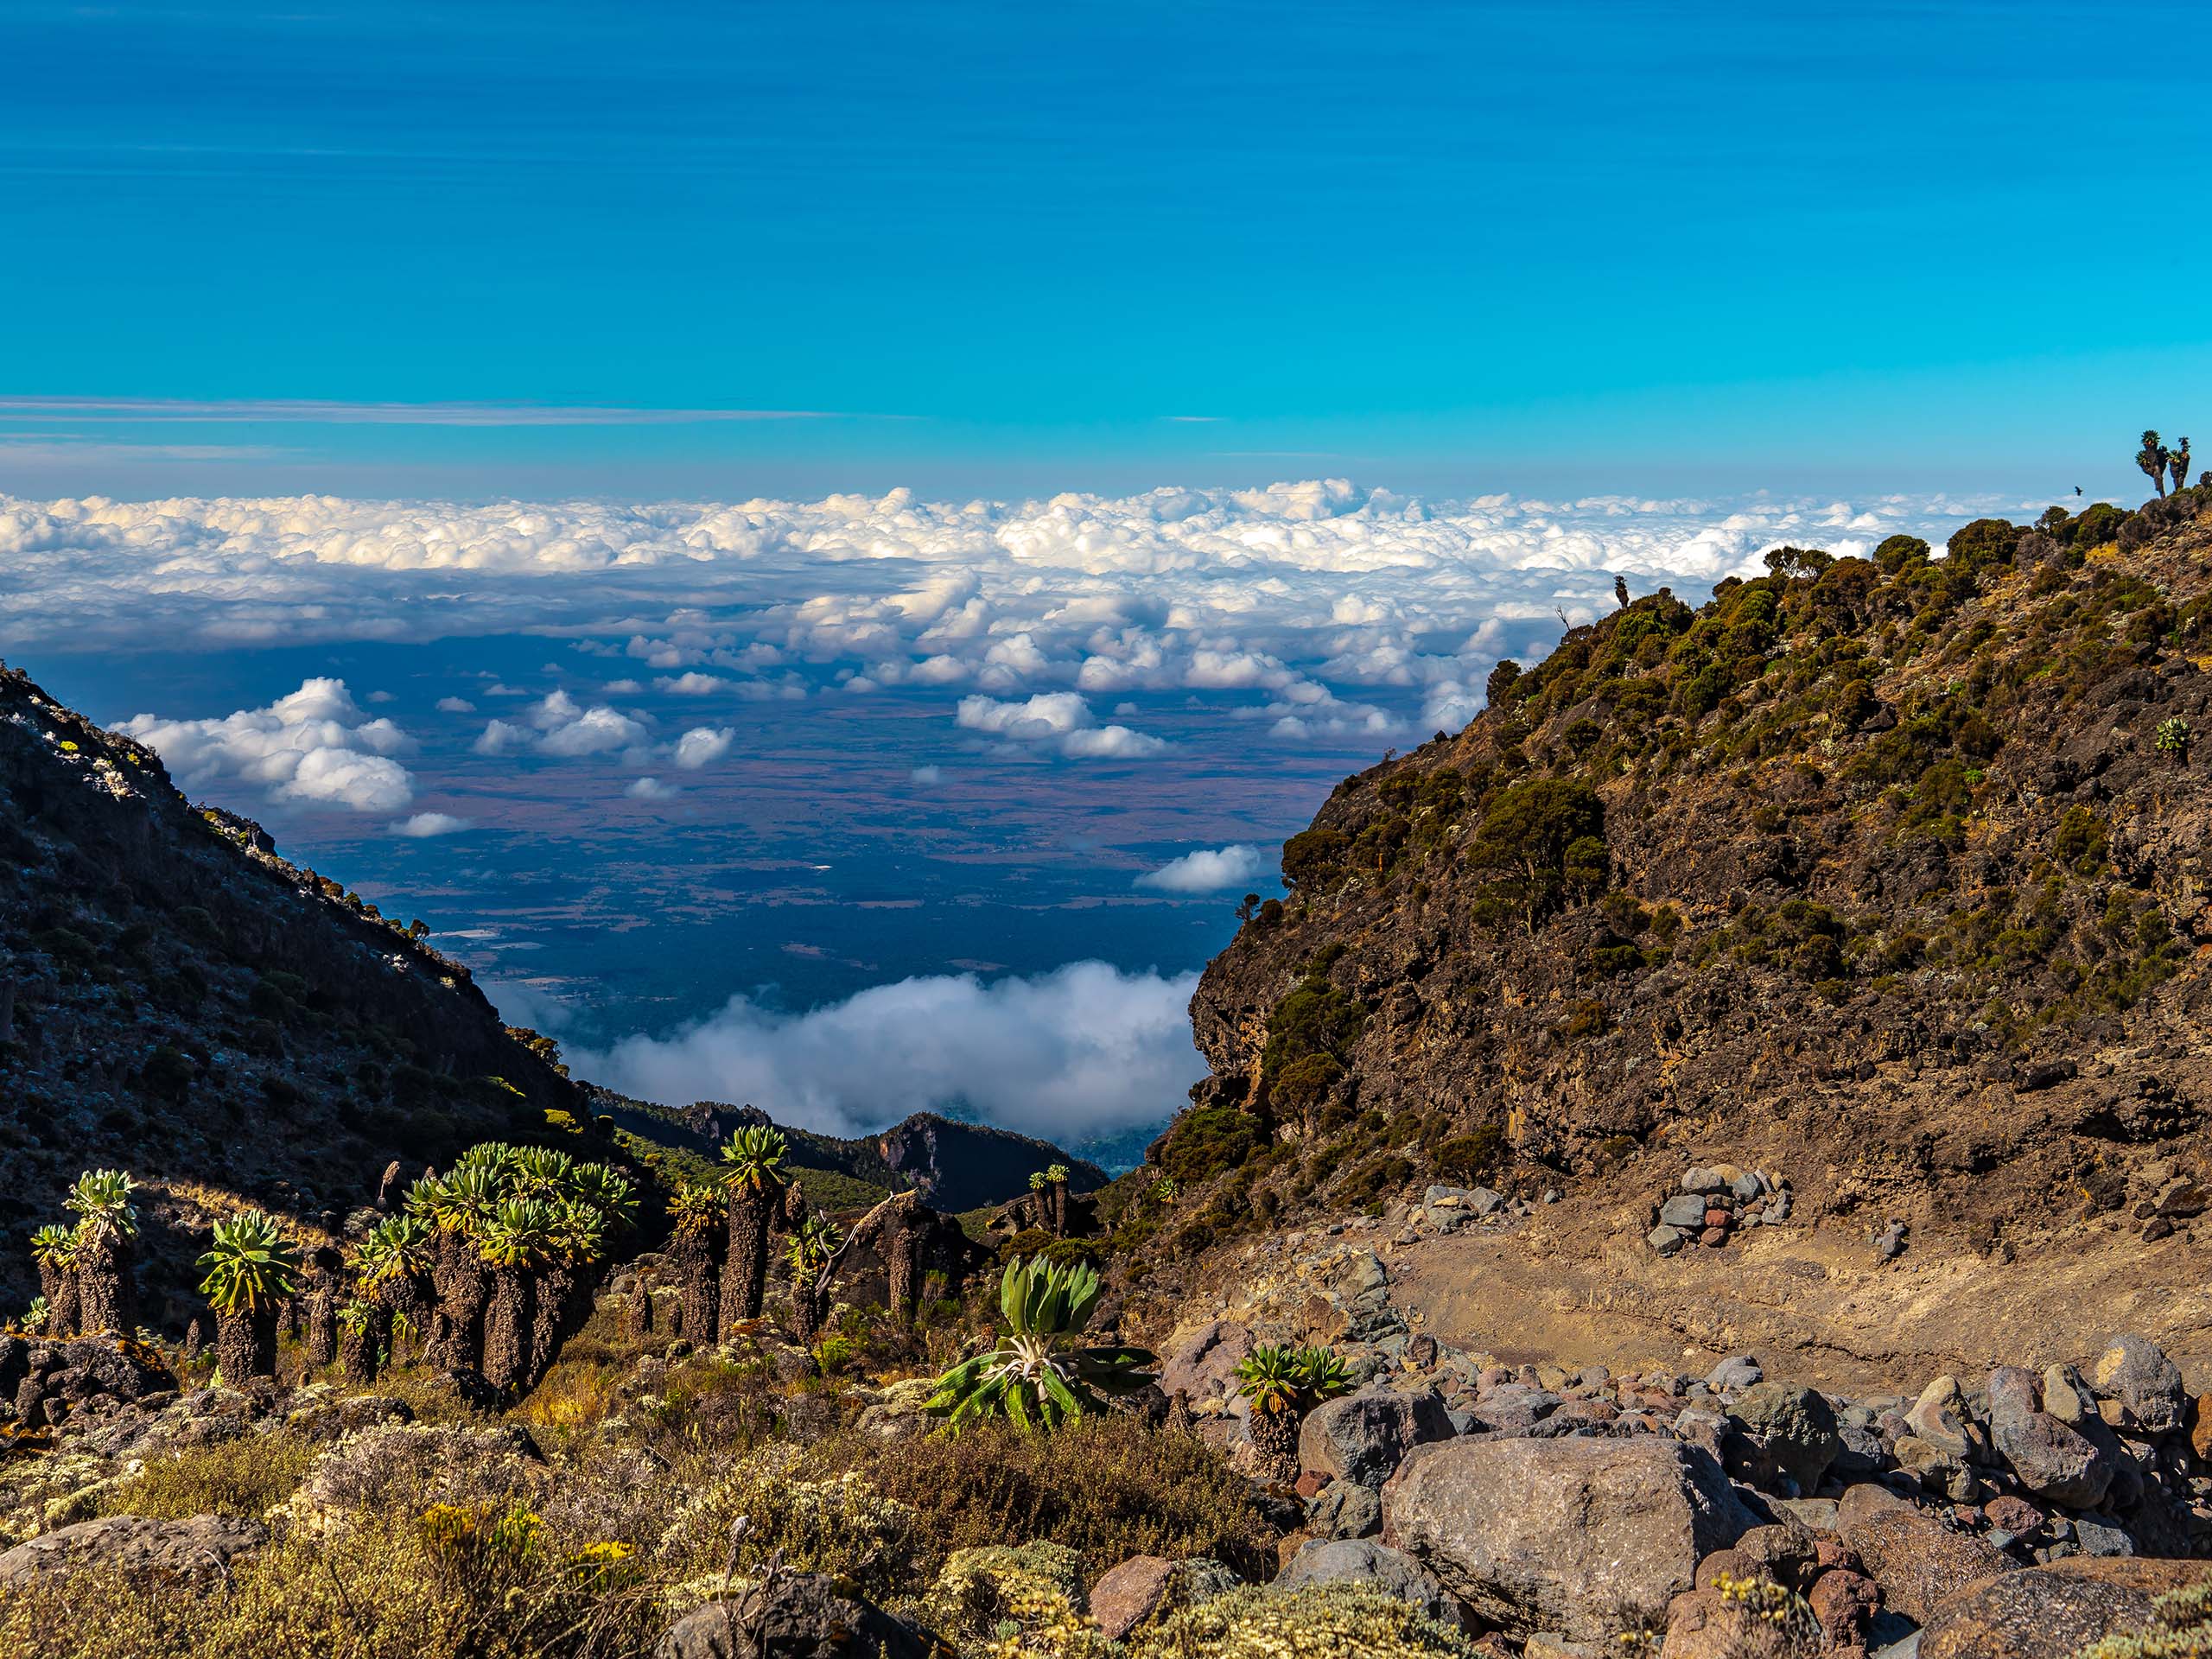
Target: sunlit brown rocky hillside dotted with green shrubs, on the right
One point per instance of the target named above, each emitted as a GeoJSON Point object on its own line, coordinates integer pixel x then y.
{"type": "Point", "coordinates": [1886, 870]}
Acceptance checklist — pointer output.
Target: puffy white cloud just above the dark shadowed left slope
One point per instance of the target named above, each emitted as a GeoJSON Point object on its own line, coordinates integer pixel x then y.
{"type": "Point", "coordinates": [313, 747]}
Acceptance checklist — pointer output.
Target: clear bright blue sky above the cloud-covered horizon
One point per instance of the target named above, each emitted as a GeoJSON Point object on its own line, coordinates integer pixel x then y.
{"type": "Point", "coordinates": [1098, 247]}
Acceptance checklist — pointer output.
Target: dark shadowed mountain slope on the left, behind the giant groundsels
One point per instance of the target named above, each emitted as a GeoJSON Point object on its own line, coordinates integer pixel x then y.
{"type": "Point", "coordinates": [182, 1003]}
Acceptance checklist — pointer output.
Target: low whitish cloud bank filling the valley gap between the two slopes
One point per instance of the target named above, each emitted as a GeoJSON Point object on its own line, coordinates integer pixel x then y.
{"type": "Point", "coordinates": [1078, 1052]}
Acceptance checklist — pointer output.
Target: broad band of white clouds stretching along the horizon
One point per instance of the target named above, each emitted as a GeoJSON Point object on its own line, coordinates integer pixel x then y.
{"type": "Point", "coordinates": [1317, 607]}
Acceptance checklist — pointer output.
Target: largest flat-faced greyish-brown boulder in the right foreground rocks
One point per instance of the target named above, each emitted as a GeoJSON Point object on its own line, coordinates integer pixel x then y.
{"type": "Point", "coordinates": [1574, 1536]}
